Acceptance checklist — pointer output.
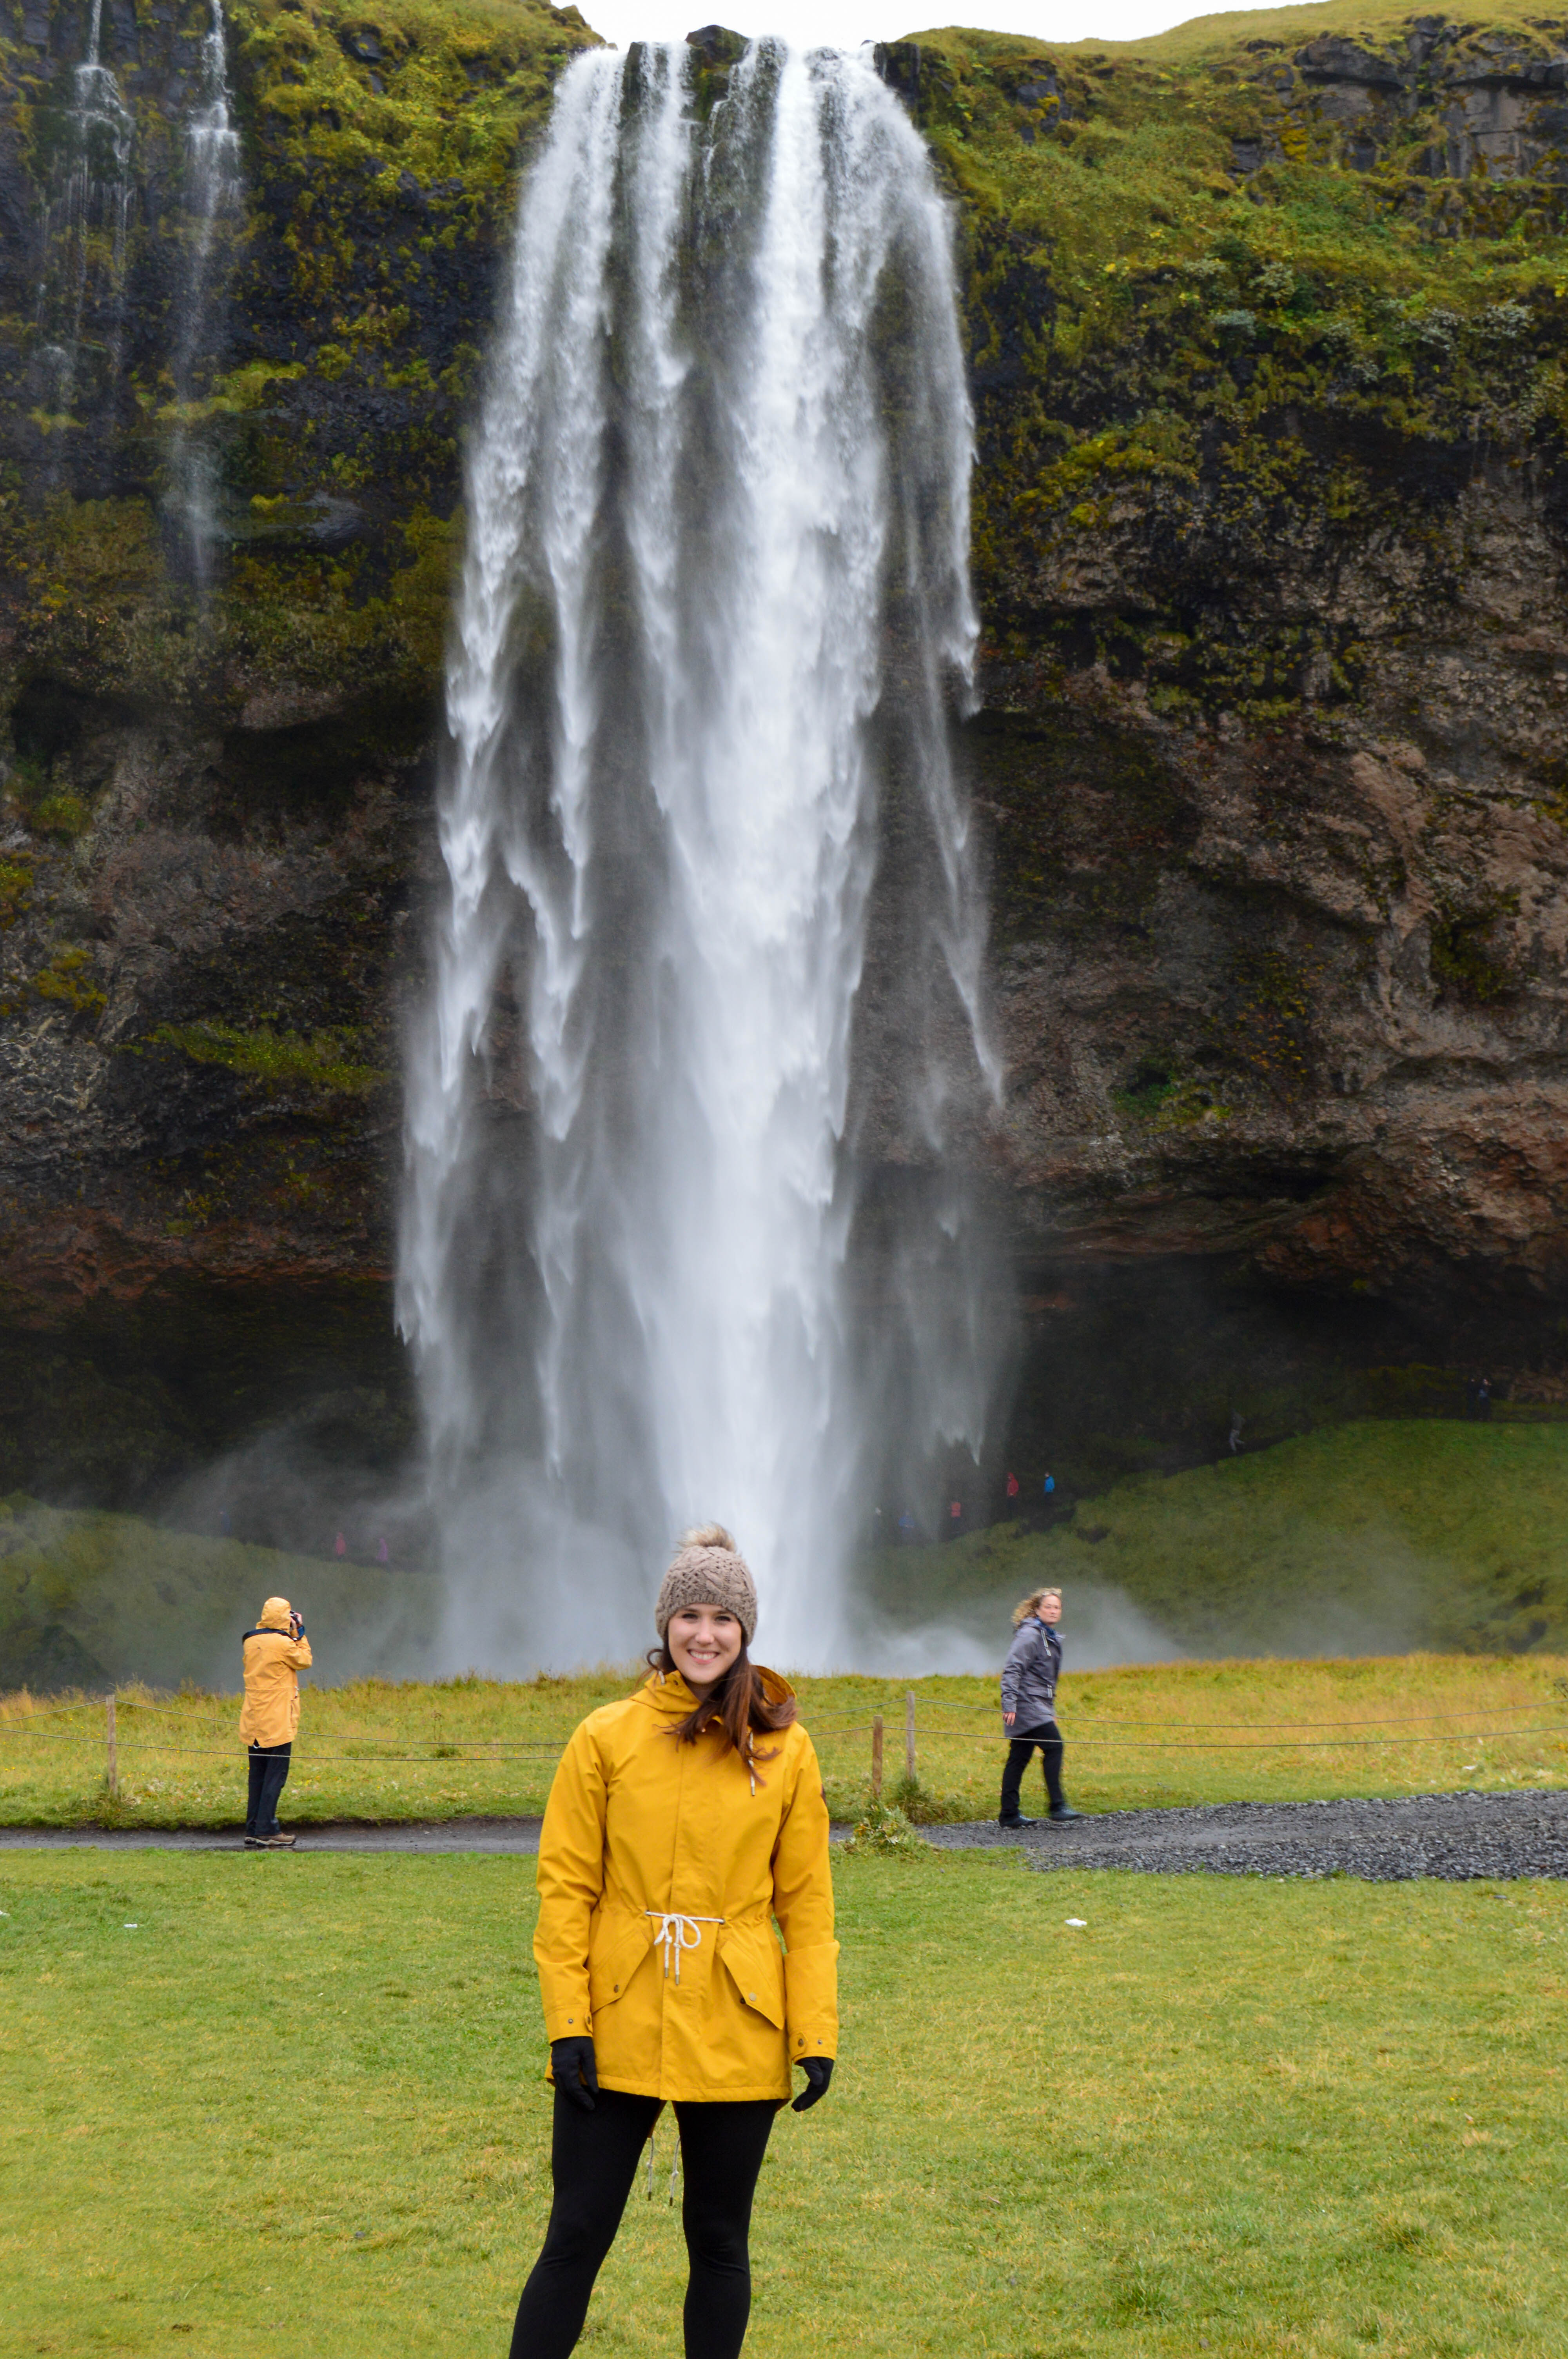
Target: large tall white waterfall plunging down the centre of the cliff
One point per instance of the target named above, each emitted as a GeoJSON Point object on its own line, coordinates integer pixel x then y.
{"type": "Point", "coordinates": [713, 600]}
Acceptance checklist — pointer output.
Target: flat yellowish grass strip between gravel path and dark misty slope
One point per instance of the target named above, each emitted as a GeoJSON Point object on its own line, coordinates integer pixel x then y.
{"type": "Point", "coordinates": [1168, 1733]}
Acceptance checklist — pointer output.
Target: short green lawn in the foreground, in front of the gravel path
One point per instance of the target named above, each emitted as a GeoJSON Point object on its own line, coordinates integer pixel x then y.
{"type": "Point", "coordinates": [301, 2108]}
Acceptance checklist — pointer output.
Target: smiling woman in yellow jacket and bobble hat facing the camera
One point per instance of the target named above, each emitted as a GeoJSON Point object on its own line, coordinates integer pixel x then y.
{"type": "Point", "coordinates": [683, 1827]}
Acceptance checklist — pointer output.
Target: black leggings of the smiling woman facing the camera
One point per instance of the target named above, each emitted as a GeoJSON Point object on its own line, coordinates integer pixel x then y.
{"type": "Point", "coordinates": [593, 2160]}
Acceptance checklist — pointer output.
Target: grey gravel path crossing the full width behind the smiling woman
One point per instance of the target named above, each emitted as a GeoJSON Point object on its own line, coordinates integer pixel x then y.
{"type": "Point", "coordinates": [1442, 1834]}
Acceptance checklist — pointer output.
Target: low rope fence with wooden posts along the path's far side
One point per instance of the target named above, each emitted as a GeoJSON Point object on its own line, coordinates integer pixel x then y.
{"type": "Point", "coordinates": [480, 1752]}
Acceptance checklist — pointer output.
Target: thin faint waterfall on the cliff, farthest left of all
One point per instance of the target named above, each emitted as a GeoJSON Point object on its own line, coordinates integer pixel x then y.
{"type": "Point", "coordinates": [86, 230]}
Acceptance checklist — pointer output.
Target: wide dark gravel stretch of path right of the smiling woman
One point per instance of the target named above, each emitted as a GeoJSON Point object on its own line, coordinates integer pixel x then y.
{"type": "Point", "coordinates": [1437, 1834]}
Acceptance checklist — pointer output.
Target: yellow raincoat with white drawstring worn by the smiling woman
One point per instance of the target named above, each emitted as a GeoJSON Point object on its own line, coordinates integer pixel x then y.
{"type": "Point", "coordinates": [661, 1874]}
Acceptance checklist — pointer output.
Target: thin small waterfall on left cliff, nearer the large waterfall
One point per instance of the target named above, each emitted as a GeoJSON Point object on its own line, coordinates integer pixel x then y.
{"type": "Point", "coordinates": [213, 202]}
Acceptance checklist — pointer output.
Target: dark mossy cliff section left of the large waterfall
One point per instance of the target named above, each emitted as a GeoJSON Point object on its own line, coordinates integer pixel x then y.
{"type": "Point", "coordinates": [218, 756]}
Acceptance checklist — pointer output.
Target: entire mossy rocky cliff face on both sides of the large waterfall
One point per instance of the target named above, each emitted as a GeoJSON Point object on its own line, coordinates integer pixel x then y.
{"type": "Point", "coordinates": [1270, 357]}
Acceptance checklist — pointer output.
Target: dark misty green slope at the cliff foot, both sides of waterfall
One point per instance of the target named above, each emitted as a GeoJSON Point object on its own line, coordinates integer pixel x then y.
{"type": "Point", "coordinates": [1359, 1539]}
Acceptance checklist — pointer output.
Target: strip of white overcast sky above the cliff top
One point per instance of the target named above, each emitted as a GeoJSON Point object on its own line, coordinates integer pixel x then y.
{"type": "Point", "coordinates": [848, 22]}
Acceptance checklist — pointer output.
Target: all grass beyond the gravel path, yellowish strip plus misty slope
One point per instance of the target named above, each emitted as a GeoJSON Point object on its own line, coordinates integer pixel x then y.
{"type": "Point", "coordinates": [1352, 1544]}
